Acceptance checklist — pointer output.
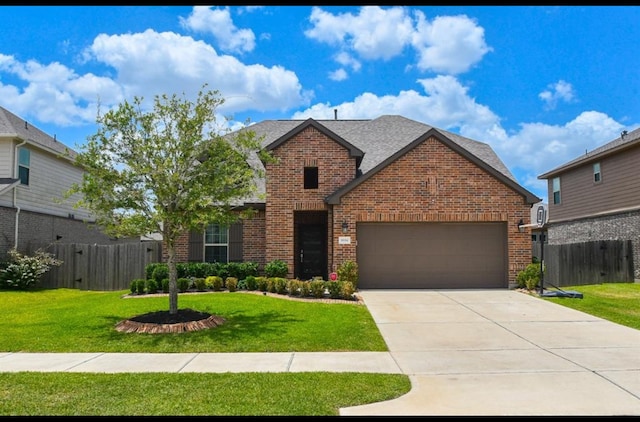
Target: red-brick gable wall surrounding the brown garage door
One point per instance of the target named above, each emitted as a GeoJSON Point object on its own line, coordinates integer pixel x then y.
{"type": "Point", "coordinates": [432, 183]}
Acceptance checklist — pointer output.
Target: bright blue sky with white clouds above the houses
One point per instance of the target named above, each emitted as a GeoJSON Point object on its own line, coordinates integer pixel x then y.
{"type": "Point", "coordinates": [540, 84]}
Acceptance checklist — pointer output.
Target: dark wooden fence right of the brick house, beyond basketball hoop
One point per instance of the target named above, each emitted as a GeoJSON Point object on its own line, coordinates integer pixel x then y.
{"type": "Point", "coordinates": [574, 264]}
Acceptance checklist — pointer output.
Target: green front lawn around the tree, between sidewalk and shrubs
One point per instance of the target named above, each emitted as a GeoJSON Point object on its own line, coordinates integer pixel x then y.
{"type": "Point", "coordinates": [69, 320]}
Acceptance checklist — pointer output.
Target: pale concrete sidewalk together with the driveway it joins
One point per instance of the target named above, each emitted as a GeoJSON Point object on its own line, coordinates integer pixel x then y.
{"type": "Point", "coordinates": [467, 352]}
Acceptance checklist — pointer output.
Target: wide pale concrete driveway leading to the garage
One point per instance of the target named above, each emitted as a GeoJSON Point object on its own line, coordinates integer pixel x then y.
{"type": "Point", "coordinates": [503, 352]}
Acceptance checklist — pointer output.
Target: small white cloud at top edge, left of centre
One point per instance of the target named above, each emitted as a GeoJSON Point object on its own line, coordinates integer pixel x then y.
{"type": "Point", "coordinates": [218, 23]}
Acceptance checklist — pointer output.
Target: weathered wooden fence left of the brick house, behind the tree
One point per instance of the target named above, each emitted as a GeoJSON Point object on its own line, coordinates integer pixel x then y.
{"type": "Point", "coordinates": [99, 267]}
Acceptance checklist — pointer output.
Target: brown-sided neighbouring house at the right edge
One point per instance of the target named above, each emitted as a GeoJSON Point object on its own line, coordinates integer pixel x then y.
{"type": "Point", "coordinates": [597, 196]}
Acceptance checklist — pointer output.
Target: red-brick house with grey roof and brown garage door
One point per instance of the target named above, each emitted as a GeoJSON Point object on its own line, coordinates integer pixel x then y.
{"type": "Point", "coordinates": [413, 205]}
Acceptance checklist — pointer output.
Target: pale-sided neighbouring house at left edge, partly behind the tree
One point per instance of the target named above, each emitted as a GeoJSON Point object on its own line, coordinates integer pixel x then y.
{"type": "Point", "coordinates": [35, 171]}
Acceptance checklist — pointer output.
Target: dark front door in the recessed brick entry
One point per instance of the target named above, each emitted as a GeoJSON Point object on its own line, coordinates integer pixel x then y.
{"type": "Point", "coordinates": [312, 253]}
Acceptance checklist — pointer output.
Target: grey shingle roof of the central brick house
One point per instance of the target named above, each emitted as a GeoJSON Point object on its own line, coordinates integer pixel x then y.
{"type": "Point", "coordinates": [385, 136]}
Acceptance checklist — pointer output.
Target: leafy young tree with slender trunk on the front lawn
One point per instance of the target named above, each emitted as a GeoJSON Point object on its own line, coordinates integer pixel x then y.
{"type": "Point", "coordinates": [167, 170]}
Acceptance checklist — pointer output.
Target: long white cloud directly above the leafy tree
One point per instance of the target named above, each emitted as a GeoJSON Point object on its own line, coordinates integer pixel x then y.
{"type": "Point", "coordinates": [149, 62]}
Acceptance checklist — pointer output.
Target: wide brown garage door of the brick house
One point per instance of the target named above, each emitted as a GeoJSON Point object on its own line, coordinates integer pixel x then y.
{"type": "Point", "coordinates": [432, 255]}
